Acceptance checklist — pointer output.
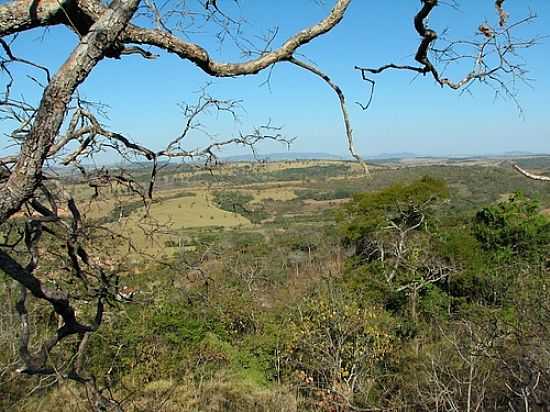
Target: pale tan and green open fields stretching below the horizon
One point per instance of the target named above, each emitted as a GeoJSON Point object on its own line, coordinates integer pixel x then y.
{"type": "Point", "coordinates": [305, 192]}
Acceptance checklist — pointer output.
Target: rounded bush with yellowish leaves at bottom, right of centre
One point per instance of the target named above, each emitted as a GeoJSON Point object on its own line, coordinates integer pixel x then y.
{"type": "Point", "coordinates": [337, 343]}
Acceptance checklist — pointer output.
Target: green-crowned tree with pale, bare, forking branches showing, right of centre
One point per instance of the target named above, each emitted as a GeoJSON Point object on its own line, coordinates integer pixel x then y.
{"type": "Point", "coordinates": [391, 233]}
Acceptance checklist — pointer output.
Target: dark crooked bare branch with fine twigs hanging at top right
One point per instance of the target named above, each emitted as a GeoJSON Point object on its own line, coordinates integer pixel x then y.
{"type": "Point", "coordinates": [490, 58]}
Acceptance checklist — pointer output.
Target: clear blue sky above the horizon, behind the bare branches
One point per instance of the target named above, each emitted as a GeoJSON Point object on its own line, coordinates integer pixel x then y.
{"type": "Point", "coordinates": [408, 113]}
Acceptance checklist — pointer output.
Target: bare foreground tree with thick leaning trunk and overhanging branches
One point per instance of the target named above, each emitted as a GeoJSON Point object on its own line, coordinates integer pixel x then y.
{"type": "Point", "coordinates": [36, 210]}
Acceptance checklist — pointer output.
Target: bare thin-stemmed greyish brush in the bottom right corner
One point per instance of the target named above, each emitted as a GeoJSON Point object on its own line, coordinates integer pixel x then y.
{"type": "Point", "coordinates": [489, 365]}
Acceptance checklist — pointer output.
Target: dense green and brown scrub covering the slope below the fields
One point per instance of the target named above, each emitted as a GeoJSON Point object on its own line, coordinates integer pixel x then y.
{"type": "Point", "coordinates": [401, 298]}
